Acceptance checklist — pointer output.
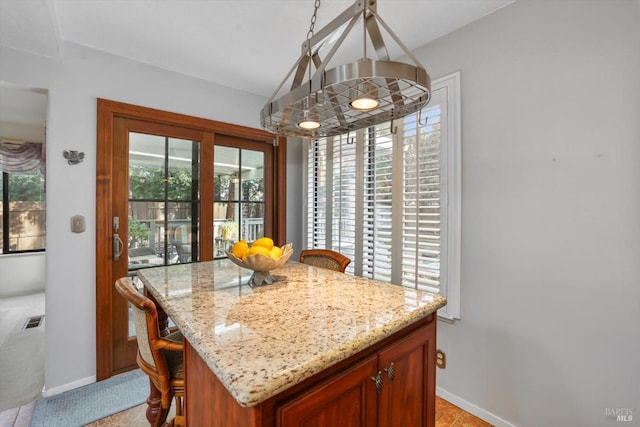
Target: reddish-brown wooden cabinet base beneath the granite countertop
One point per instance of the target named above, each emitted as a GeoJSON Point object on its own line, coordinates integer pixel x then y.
{"type": "Point", "coordinates": [343, 395]}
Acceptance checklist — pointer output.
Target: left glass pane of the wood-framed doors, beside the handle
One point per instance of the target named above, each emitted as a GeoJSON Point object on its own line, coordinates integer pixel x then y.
{"type": "Point", "coordinates": [163, 203]}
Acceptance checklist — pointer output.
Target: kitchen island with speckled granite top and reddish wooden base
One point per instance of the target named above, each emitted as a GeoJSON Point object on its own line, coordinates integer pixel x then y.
{"type": "Point", "coordinates": [316, 347]}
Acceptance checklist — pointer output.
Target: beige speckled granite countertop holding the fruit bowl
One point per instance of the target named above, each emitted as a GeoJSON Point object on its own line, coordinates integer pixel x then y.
{"type": "Point", "coordinates": [260, 341]}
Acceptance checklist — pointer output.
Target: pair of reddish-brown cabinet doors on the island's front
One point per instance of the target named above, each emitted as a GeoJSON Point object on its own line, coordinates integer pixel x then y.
{"type": "Point", "coordinates": [393, 387]}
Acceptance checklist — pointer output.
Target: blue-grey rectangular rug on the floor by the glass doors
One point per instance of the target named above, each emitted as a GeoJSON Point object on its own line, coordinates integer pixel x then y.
{"type": "Point", "coordinates": [92, 402]}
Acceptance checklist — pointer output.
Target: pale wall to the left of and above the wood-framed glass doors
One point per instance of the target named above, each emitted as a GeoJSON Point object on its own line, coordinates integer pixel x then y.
{"type": "Point", "coordinates": [74, 83]}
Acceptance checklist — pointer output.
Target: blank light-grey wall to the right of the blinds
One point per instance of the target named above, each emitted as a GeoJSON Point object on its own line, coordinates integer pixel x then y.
{"type": "Point", "coordinates": [550, 329]}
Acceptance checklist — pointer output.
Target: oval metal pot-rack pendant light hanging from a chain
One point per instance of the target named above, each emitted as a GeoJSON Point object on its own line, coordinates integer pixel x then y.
{"type": "Point", "coordinates": [351, 96]}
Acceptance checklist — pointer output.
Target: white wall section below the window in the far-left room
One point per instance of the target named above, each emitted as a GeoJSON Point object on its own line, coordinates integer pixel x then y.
{"type": "Point", "coordinates": [22, 274]}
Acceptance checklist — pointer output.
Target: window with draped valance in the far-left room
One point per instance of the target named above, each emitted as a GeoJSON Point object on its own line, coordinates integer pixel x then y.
{"type": "Point", "coordinates": [22, 206]}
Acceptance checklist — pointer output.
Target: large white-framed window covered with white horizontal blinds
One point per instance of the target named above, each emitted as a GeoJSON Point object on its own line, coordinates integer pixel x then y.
{"type": "Point", "coordinates": [390, 200]}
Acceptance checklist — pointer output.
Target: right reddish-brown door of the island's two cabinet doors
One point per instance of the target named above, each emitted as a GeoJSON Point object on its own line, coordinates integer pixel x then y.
{"type": "Point", "coordinates": [408, 396]}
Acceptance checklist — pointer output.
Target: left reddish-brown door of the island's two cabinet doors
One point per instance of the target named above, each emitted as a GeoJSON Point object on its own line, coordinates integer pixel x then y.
{"type": "Point", "coordinates": [348, 399]}
